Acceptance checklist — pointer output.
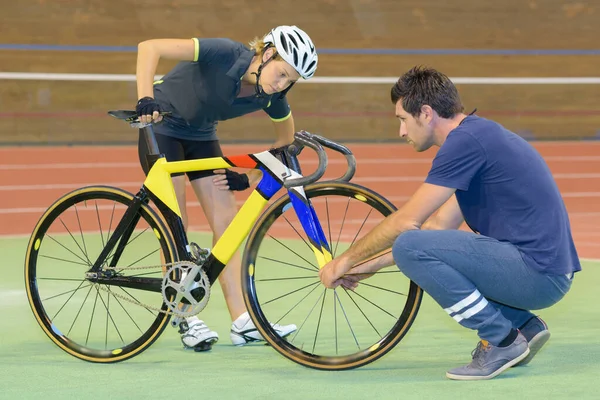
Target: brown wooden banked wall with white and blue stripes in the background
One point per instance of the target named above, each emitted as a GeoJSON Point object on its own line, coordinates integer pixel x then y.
{"type": "Point", "coordinates": [74, 112]}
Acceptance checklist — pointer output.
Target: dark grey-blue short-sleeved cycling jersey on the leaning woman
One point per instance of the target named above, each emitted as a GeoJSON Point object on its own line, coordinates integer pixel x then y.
{"type": "Point", "coordinates": [202, 92]}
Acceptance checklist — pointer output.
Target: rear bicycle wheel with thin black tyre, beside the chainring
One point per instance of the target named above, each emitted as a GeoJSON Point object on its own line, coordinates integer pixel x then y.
{"type": "Point", "coordinates": [93, 321]}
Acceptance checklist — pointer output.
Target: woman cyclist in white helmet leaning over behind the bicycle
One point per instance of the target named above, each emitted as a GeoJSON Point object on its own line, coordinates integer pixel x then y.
{"type": "Point", "coordinates": [216, 80]}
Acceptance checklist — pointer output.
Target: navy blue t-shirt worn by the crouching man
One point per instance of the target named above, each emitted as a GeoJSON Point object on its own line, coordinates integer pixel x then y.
{"type": "Point", "coordinates": [506, 191]}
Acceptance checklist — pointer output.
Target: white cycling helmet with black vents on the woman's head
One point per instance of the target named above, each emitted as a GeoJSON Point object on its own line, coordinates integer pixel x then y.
{"type": "Point", "coordinates": [295, 47]}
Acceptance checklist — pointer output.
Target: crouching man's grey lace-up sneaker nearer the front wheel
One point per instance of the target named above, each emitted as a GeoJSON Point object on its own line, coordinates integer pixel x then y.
{"type": "Point", "coordinates": [489, 361]}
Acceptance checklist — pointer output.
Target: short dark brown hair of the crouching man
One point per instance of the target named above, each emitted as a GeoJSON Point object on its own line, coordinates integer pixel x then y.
{"type": "Point", "coordinates": [425, 86]}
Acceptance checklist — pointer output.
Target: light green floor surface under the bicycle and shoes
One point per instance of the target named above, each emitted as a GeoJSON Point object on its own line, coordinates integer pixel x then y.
{"type": "Point", "coordinates": [33, 367]}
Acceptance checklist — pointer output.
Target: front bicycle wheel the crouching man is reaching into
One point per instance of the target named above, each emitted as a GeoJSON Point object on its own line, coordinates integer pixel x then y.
{"type": "Point", "coordinates": [336, 329]}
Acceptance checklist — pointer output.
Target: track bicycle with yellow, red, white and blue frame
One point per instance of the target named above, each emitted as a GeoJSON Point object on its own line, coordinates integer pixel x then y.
{"type": "Point", "coordinates": [89, 255]}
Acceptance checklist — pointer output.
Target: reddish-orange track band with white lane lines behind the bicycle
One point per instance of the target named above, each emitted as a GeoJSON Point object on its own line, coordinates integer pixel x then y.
{"type": "Point", "coordinates": [31, 178]}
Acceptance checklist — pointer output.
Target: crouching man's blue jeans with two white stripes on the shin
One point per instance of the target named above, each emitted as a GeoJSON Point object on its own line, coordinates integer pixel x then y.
{"type": "Point", "coordinates": [482, 283]}
